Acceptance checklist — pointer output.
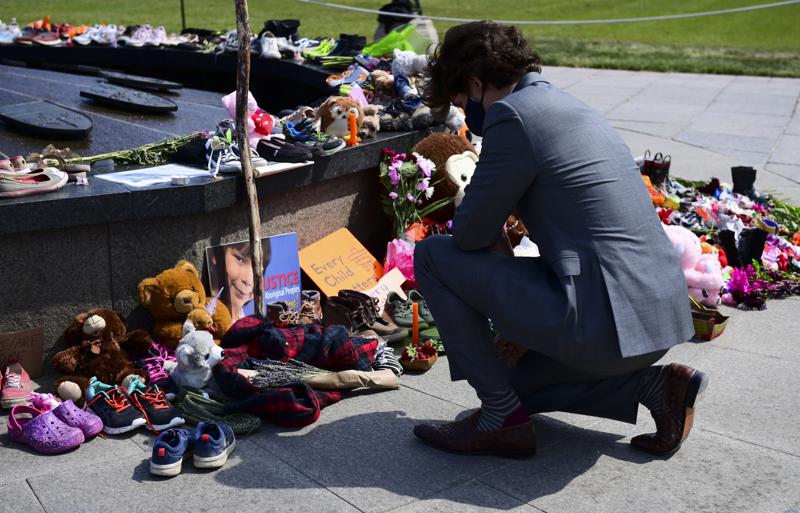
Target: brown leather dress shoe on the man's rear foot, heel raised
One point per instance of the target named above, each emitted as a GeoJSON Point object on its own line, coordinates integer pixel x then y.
{"type": "Point", "coordinates": [683, 387]}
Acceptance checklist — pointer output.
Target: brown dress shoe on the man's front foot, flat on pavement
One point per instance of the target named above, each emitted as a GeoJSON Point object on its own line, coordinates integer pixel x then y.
{"type": "Point", "coordinates": [463, 436]}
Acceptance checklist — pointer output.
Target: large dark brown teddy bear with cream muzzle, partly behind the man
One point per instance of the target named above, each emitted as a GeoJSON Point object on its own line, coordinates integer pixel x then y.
{"type": "Point", "coordinates": [455, 159]}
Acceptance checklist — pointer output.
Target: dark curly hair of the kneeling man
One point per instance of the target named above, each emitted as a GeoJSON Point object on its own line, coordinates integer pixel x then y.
{"type": "Point", "coordinates": [496, 54]}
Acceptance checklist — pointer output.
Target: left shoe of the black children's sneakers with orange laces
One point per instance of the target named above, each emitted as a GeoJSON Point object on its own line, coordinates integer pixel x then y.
{"type": "Point", "coordinates": [114, 407]}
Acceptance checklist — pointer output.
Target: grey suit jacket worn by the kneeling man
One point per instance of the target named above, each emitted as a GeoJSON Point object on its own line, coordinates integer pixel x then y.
{"type": "Point", "coordinates": [573, 182]}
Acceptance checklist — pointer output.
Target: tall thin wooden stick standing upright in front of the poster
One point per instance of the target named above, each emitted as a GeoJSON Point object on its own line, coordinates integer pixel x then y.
{"type": "Point", "coordinates": [242, 89]}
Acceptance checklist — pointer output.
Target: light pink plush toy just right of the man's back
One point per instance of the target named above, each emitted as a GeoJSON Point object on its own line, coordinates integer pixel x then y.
{"type": "Point", "coordinates": [702, 271]}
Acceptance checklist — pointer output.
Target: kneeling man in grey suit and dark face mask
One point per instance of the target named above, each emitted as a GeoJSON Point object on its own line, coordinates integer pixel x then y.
{"type": "Point", "coordinates": [581, 326]}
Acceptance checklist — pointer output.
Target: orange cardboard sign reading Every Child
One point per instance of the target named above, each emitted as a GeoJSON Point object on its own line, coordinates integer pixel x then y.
{"type": "Point", "coordinates": [338, 262]}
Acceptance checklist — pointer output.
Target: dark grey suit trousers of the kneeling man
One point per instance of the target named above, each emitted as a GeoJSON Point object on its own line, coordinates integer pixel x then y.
{"type": "Point", "coordinates": [565, 368]}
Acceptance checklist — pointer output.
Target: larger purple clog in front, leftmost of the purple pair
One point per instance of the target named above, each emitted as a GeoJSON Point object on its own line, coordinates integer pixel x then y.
{"type": "Point", "coordinates": [42, 431]}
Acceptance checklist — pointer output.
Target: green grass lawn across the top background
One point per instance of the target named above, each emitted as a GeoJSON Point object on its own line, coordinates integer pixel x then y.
{"type": "Point", "coordinates": [759, 42]}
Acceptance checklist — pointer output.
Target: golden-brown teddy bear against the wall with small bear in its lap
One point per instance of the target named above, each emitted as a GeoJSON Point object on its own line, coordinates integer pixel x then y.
{"type": "Point", "coordinates": [175, 295]}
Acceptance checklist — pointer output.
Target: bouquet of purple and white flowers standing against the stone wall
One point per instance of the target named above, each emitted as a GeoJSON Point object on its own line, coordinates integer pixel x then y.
{"type": "Point", "coordinates": [407, 179]}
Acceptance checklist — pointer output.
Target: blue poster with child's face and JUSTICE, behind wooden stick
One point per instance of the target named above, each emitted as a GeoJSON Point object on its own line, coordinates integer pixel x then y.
{"type": "Point", "coordinates": [230, 273]}
